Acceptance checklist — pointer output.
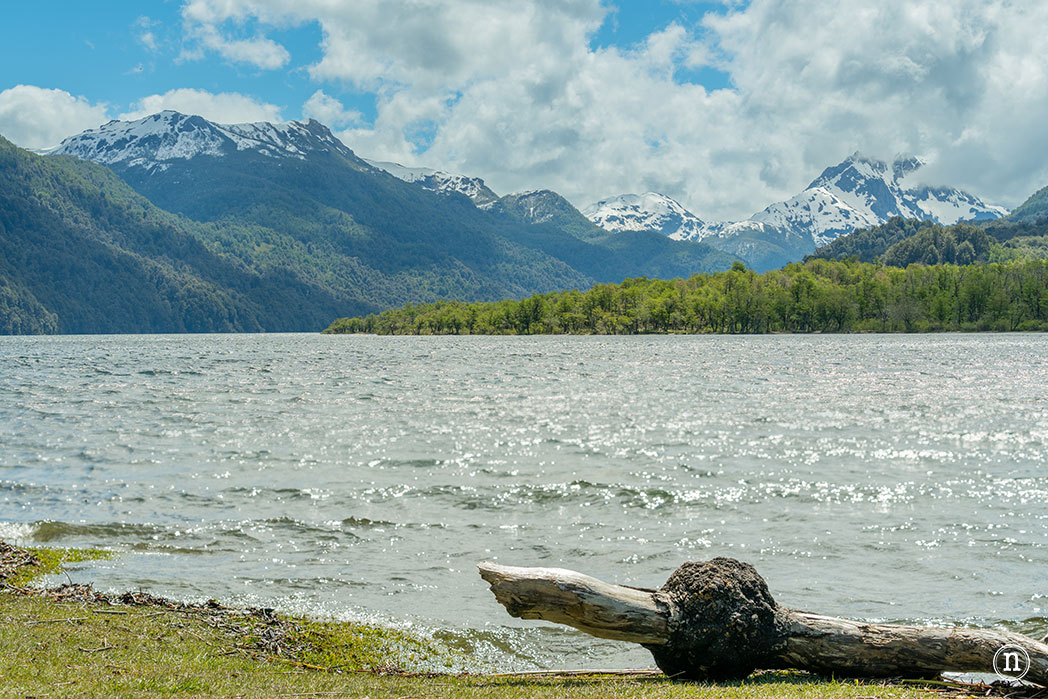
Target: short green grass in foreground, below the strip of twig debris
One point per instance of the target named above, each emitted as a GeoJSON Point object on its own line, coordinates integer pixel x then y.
{"type": "Point", "coordinates": [48, 648]}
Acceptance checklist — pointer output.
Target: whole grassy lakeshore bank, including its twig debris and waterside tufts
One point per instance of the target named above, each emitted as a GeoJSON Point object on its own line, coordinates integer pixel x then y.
{"type": "Point", "coordinates": [72, 641]}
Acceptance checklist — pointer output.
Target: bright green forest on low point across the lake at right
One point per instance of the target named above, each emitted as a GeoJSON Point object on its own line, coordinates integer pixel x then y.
{"type": "Point", "coordinates": [816, 296]}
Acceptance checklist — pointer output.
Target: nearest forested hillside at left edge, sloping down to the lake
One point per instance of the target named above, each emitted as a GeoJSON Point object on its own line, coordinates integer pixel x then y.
{"type": "Point", "coordinates": [80, 252]}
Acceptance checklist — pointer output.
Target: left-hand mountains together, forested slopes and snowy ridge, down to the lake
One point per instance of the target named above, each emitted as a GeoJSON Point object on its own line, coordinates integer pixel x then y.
{"type": "Point", "coordinates": [177, 224]}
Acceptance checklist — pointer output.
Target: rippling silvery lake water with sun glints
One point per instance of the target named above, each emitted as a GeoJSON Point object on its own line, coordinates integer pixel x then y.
{"type": "Point", "coordinates": [894, 478]}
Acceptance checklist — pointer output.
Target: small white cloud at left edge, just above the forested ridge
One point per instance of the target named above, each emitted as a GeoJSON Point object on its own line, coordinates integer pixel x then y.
{"type": "Point", "coordinates": [38, 118]}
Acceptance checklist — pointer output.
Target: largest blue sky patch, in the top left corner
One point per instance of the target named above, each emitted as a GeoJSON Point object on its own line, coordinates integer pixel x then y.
{"type": "Point", "coordinates": [96, 50]}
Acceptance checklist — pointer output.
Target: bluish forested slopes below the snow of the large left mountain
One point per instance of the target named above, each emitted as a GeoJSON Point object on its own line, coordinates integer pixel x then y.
{"type": "Point", "coordinates": [418, 245]}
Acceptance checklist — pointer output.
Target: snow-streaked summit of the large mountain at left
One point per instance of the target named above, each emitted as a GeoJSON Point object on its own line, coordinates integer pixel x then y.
{"type": "Point", "coordinates": [154, 143]}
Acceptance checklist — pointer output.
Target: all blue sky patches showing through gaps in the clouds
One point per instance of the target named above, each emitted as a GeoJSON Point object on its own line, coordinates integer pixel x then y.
{"type": "Point", "coordinates": [96, 50]}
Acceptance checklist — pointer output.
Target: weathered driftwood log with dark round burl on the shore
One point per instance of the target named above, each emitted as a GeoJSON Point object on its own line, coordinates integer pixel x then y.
{"type": "Point", "coordinates": [717, 621]}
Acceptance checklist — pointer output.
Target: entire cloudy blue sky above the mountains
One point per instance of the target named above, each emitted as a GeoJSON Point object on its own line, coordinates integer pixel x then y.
{"type": "Point", "coordinates": [725, 106]}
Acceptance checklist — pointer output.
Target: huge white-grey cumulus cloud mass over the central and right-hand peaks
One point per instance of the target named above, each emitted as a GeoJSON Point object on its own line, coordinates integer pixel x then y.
{"type": "Point", "coordinates": [514, 91]}
